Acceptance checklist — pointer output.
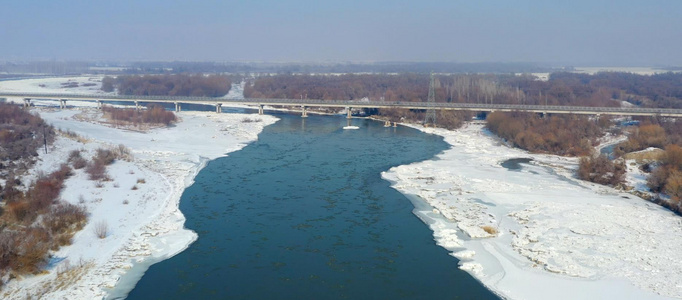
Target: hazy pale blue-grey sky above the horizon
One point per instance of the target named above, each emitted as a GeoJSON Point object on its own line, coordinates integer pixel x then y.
{"type": "Point", "coordinates": [619, 32]}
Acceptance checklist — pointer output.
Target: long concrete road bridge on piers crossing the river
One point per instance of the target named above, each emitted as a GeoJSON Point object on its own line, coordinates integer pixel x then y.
{"type": "Point", "coordinates": [304, 104]}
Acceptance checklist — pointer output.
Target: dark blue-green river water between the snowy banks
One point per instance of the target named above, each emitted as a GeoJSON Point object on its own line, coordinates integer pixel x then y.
{"type": "Point", "coordinates": [304, 214]}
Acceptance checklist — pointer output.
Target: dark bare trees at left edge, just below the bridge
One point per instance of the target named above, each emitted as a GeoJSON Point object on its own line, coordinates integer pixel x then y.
{"type": "Point", "coordinates": [21, 135]}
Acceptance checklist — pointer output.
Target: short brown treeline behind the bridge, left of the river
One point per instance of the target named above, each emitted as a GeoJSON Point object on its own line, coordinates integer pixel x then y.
{"type": "Point", "coordinates": [197, 85]}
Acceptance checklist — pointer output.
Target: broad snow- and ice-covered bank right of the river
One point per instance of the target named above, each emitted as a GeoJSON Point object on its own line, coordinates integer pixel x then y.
{"type": "Point", "coordinates": [559, 238]}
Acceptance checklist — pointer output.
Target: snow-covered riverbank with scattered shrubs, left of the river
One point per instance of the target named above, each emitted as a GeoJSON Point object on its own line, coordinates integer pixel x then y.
{"type": "Point", "coordinates": [140, 203]}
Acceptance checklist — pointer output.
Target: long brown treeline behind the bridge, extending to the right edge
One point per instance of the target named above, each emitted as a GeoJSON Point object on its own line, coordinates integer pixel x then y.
{"type": "Point", "coordinates": [602, 89]}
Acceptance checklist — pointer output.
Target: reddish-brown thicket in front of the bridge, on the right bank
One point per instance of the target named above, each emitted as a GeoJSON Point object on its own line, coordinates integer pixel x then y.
{"type": "Point", "coordinates": [570, 135]}
